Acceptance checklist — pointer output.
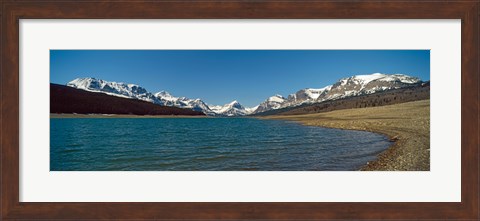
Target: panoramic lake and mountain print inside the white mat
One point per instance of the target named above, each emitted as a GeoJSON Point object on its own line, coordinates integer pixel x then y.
{"type": "Point", "coordinates": [239, 110]}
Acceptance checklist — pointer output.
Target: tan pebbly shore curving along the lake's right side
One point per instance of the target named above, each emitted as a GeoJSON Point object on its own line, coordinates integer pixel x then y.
{"type": "Point", "coordinates": [406, 124]}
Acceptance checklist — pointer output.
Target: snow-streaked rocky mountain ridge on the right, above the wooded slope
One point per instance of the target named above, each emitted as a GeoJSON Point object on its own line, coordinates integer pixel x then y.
{"type": "Point", "coordinates": [345, 87]}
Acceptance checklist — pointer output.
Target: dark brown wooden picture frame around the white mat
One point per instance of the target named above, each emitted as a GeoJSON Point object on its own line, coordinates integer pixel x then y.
{"type": "Point", "coordinates": [12, 11]}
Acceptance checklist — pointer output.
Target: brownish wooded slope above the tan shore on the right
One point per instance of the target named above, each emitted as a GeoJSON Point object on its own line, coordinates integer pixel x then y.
{"type": "Point", "coordinates": [395, 96]}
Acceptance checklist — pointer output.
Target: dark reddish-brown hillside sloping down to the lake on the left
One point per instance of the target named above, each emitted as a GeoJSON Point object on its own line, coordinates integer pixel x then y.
{"type": "Point", "coordinates": [68, 100]}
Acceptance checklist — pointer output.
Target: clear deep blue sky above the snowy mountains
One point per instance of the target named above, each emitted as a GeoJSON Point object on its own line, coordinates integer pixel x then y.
{"type": "Point", "coordinates": [220, 76]}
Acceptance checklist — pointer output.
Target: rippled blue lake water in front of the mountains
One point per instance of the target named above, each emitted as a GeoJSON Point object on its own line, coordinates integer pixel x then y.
{"type": "Point", "coordinates": [190, 144]}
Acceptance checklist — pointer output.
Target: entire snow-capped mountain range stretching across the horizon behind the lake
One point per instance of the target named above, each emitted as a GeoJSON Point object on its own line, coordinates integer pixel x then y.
{"type": "Point", "coordinates": [343, 88]}
